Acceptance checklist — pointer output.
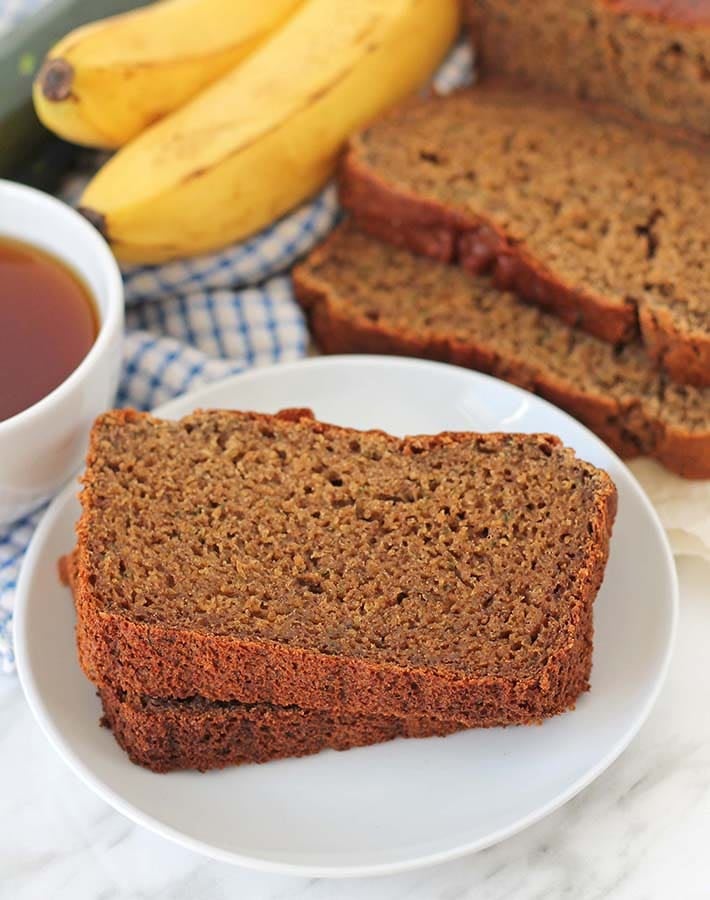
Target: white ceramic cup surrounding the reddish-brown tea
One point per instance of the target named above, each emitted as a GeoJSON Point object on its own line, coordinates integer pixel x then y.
{"type": "Point", "coordinates": [44, 445]}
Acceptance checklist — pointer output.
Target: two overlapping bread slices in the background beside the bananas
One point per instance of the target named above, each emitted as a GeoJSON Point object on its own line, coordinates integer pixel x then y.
{"type": "Point", "coordinates": [555, 244]}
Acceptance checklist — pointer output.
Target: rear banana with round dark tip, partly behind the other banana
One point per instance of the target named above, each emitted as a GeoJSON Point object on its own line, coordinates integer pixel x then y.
{"type": "Point", "coordinates": [106, 82]}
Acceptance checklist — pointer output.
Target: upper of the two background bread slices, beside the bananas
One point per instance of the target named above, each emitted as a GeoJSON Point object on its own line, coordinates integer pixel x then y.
{"type": "Point", "coordinates": [600, 221]}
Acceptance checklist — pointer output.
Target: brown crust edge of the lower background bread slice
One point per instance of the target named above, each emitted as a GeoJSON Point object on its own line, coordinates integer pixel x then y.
{"type": "Point", "coordinates": [625, 428]}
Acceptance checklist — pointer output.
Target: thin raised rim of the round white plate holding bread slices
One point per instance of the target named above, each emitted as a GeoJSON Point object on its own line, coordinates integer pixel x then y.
{"type": "Point", "coordinates": [145, 820]}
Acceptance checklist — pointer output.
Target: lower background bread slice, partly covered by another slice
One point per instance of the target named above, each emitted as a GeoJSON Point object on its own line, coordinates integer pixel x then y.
{"type": "Point", "coordinates": [362, 295]}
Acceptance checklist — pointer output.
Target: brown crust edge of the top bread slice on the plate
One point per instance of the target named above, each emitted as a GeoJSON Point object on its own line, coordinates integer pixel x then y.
{"type": "Point", "coordinates": [147, 658]}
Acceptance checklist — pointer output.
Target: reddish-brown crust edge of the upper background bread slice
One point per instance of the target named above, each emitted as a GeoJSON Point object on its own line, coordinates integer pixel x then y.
{"type": "Point", "coordinates": [399, 216]}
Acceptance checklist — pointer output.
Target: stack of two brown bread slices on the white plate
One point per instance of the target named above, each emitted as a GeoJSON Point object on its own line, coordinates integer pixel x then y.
{"type": "Point", "coordinates": [251, 587]}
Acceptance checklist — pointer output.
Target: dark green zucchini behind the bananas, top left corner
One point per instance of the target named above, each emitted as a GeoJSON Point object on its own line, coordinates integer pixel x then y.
{"type": "Point", "coordinates": [22, 51]}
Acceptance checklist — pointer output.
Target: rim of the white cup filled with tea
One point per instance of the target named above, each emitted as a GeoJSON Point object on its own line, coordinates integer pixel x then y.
{"type": "Point", "coordinates": [109, 323]}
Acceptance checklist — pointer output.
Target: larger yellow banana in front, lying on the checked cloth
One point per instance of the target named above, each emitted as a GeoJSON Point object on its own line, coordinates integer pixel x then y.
{"type": "Point", "coordinates": [267, 135]}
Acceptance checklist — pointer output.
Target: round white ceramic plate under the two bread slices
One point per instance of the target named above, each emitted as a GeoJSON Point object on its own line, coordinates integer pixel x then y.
{"type": "Point", "coordinates": [399, 805]}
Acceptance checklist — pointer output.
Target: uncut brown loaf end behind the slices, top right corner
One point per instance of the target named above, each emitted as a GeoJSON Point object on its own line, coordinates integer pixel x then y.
{"type": "Point", "coordinates": [651, 56]}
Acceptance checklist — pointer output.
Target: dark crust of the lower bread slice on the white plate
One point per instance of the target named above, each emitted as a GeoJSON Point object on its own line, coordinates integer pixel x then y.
{"type": "Point", "coordinates": [166, 735]}
